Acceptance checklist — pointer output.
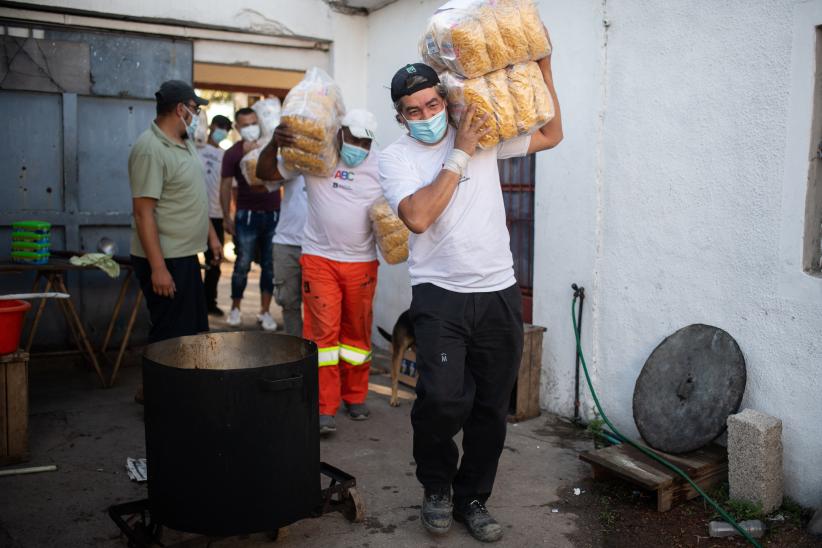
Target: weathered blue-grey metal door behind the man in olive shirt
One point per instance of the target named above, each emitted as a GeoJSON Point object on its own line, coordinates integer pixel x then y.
{"type": "Point", "coordinates": [72, 103]}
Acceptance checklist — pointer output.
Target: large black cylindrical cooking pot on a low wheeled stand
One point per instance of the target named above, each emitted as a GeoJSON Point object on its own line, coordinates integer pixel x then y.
{"type": "Point", "coordinates": [232, 432]}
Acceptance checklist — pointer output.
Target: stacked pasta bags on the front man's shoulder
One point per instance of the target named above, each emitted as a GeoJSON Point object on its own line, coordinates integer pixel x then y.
{"type": "Point", "coordinates": [485, 52]}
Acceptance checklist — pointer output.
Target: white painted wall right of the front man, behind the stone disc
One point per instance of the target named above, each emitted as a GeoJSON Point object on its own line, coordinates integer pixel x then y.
{"type": "Point", "coordinates": [686, 192]}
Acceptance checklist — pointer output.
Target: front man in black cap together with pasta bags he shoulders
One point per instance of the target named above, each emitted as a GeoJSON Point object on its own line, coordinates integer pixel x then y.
{"type": "Point", "coordinates": [443, 182]}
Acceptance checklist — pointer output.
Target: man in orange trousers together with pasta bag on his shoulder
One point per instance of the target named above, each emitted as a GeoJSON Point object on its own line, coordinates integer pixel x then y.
{"type": "Point", "coordinates": [335, 152]}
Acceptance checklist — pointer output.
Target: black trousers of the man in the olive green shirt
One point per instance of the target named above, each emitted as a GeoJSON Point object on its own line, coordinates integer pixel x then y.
{"type": "Point", "coordinates": [185, 313]}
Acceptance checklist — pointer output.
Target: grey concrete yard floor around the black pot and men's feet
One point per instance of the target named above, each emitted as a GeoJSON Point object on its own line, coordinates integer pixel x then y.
{"type": "Point", "coordinates": [88, 432]}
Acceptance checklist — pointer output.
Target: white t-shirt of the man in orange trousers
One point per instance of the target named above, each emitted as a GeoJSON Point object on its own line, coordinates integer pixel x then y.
{"type": "Point", "coordinates": [337, 224]}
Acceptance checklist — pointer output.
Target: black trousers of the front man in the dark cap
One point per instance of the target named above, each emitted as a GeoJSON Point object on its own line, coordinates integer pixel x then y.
{"type": "Point", "coordinates": [469, 347]}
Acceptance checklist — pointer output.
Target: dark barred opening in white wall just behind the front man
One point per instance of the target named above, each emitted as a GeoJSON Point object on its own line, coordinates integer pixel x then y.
{"type": "Point", "coordinates": [517, 176]}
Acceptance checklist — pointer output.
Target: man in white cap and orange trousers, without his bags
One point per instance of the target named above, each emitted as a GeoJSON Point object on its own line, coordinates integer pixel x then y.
{"type": "Point", "coordinates": [339, 262]}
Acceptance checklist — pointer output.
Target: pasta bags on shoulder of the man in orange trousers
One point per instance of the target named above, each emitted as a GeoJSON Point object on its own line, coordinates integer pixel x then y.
{"type": "Point", "coordinates": [312, 111]}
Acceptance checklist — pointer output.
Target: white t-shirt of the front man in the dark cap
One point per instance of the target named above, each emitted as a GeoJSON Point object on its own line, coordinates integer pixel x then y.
{"type": "Point", "coordinates": [467, 249]}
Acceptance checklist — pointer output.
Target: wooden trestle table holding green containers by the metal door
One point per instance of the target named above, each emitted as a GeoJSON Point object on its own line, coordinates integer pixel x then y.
{"type": "Point", "coordinates": [51, 277]}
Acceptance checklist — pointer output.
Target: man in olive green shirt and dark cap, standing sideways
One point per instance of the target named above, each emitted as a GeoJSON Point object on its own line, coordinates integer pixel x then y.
{"type": "Point", "coordinates": [171, 215]}
